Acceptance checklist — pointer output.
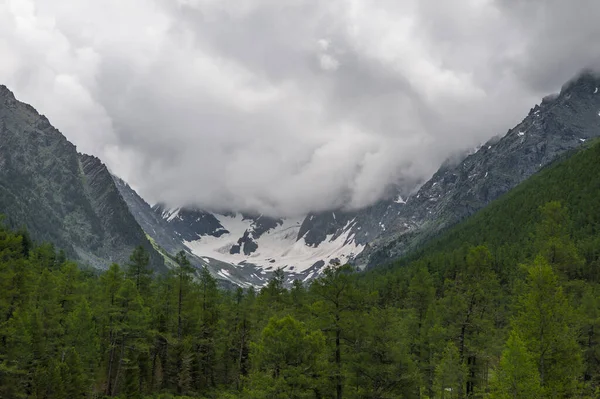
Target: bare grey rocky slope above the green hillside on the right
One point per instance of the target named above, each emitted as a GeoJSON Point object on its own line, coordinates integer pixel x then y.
{"type": "Point", "coordinates": [559, 124]}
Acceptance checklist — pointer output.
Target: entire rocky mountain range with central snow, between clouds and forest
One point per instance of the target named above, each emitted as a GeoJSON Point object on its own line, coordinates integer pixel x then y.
{"type": "Point", "coordinates": [72, 200]}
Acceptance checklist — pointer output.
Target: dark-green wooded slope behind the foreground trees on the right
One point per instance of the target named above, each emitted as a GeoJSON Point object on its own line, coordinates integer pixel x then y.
{"type": "Point", "coordinates": [507, 226]}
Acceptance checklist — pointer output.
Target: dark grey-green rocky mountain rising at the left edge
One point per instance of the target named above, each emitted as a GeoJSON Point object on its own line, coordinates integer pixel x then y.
{"type": "Point", "coordinates": [62, 196]}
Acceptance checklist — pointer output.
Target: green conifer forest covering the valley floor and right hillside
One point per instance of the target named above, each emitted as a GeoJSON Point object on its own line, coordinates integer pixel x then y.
{"type": "Point", "coordinates": [505, 305]}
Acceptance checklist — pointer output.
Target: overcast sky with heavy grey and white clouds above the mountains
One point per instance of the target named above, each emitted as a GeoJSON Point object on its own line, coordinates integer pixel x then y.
{"type": "Point", "coordinates": [288, 106]}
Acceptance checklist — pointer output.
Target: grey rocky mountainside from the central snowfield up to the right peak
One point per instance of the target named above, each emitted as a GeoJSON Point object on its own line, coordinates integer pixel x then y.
{"type": "Point", "coordinates": [255, 245]}
